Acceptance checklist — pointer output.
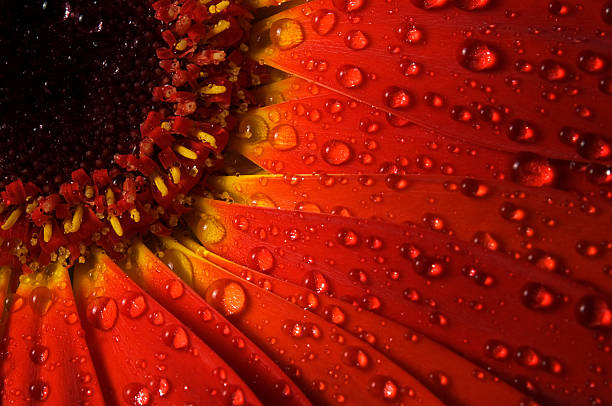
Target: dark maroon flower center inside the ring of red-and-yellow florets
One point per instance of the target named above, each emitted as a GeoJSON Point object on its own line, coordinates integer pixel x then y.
{"type": "Point", "coordinates": [75, 83]}
